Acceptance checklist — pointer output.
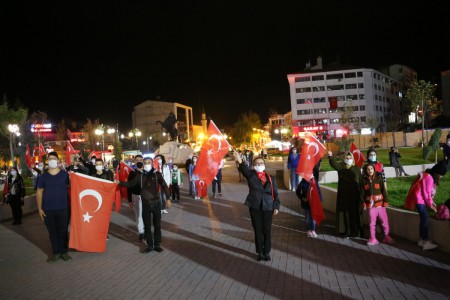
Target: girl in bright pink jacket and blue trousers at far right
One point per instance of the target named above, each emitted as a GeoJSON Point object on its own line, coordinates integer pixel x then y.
{"type": "Point", "coordinates": [421, 195]}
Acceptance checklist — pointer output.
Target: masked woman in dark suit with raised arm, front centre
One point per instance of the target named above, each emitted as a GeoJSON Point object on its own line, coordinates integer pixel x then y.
{"type": "Point", "coordinates": [262, 201]}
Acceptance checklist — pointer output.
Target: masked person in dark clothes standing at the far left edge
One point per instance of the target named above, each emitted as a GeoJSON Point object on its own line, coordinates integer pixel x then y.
{"type": "Point", "coordinates": [13, 192]}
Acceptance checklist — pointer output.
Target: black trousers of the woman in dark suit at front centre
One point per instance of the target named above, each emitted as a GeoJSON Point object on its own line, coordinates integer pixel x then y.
{"type": "Point", "coordinates": [262, 226]}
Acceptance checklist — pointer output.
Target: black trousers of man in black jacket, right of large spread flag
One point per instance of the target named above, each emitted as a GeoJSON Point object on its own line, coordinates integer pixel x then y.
{"type": "Point", "coordinates": [149, 211]}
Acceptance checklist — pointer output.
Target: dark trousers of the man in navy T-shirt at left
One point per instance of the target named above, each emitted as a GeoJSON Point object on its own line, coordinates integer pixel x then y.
{"type": "Point", "coordinates": [57, 222]}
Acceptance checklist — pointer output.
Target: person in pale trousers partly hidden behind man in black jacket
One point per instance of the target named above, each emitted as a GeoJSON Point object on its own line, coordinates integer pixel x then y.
{"type": "Point", "coordinates": [134, 195]}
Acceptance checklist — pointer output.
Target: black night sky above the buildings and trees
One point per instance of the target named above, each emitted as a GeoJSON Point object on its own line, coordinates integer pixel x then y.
{"type": "Point", "coordinates": [97, 61]}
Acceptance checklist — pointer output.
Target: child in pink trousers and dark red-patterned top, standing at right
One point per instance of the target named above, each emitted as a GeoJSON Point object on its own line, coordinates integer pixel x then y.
{"type": "Point", "coordinates": [374, 197]}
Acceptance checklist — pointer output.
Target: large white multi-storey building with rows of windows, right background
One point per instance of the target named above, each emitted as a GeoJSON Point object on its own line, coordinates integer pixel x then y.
{"type": "Point", "coordinates": [319, 95]}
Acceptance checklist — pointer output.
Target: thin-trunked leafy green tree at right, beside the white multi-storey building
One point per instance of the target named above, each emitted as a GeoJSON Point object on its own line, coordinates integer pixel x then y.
{"type": "Point", "coordinates": [420, 95]}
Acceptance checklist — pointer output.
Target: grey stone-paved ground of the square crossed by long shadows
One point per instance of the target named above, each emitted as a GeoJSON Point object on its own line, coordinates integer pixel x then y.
{"type": "Point", "coordinates": [209, 254]}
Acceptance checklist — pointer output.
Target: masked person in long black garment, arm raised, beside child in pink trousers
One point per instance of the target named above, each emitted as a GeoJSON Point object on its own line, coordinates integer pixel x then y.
{"type": "Point", "coordinates": [348, 204]}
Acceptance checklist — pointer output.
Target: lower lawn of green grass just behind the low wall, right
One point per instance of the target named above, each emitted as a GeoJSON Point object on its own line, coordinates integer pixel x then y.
{"type": "Point", "coordinates": [398, 189]}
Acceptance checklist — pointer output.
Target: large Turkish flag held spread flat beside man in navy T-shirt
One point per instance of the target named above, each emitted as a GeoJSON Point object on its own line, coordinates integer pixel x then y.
{"type": "Point", "coordinates": [91, 204]}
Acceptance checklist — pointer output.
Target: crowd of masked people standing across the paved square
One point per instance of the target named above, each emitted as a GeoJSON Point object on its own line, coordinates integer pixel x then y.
{"type": "Point", "coordinates": [154, 183]}
